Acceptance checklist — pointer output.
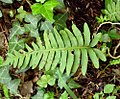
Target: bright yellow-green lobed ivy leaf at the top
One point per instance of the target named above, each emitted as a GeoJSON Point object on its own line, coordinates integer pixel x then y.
{"type": "Point", "coordinates": [47, 9]}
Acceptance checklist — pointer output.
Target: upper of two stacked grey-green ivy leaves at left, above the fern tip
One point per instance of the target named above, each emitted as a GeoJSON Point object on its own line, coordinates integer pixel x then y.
{"type": "Point", "coordinates": [16, 29]}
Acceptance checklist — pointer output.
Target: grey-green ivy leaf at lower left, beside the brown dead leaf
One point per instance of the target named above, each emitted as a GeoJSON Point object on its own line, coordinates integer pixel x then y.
{"type": "Point", "coordinates": [13, 86]}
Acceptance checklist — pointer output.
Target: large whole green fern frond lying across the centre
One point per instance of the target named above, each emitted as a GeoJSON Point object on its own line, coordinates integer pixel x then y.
{"type": "Point", "coordinates": [62, 49]}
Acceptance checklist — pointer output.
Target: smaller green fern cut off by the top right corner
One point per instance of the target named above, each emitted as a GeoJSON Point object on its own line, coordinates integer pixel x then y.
{"type": "Point", "coordinates": [112, 10]}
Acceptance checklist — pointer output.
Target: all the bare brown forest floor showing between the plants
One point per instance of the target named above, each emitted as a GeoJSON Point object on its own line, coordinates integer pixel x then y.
{"type": "Point", "coordinates": [80, 11]}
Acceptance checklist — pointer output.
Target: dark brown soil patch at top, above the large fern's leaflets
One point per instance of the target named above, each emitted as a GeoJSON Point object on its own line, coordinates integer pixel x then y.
{"type": "Point", "coordinates": [82, 11]}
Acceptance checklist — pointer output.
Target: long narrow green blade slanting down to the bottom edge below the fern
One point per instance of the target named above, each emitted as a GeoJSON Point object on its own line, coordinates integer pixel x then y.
{"type": "Point", "coordinates": [66, 87]}
